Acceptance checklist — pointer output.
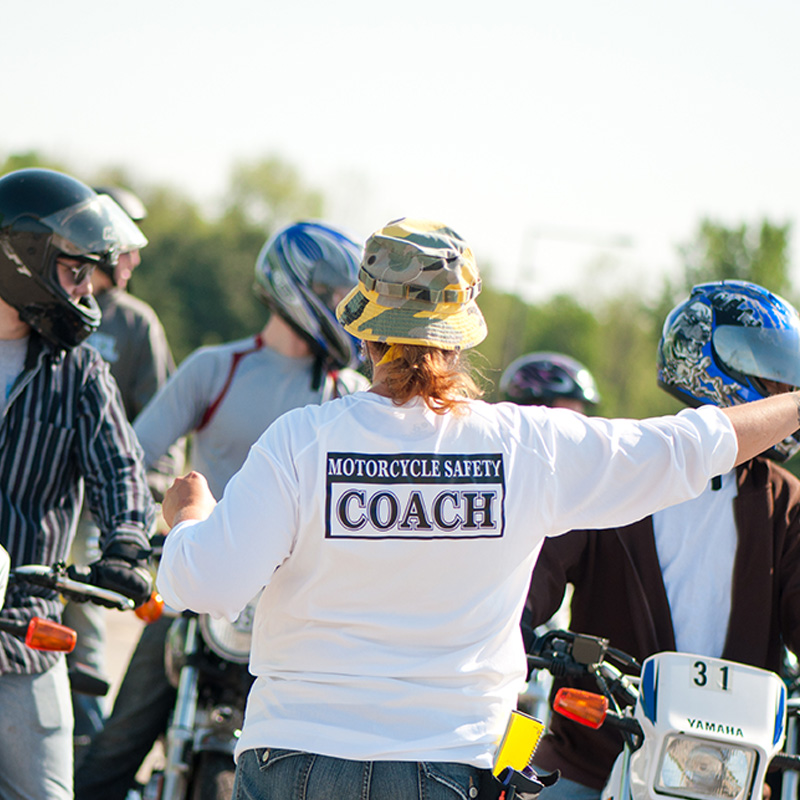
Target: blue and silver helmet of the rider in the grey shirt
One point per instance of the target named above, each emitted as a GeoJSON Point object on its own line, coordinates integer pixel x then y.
{"type": "Point", "coordinates": [299, 272]}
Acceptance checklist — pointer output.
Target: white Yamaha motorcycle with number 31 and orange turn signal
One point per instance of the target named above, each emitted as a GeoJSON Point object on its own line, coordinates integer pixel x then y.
{"type": "Point", "coordinates": [692, 726]}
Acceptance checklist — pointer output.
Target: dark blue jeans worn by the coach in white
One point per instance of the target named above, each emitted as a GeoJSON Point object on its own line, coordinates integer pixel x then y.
{"type": "Point", "coordinates": [264, 774]}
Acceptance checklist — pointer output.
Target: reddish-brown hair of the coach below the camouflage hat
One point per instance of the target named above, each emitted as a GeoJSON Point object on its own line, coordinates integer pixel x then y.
{"type": "Point", "coordinates": [442, 378]}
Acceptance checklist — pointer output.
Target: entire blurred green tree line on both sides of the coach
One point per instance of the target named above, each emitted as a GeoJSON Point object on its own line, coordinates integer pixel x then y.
{"type": "Point", "coordinates": [197, 272]}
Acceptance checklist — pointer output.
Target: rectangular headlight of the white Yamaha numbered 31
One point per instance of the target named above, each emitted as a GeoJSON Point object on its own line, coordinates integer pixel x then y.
{"type": "Point", "coordinates": [702, 769]}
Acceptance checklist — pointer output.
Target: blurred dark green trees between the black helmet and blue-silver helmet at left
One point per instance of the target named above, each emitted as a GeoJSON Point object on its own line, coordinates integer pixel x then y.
{"type": "Point", "coordinates": [198, 272]}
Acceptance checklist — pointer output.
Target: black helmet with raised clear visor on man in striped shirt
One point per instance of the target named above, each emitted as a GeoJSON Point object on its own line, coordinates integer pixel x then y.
{"type": "Point", "coordinates": [43, 215]}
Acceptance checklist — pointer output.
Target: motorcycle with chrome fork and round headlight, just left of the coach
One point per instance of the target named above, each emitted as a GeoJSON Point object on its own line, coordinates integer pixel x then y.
{"type": "Point", "coordinates": [206, 661]}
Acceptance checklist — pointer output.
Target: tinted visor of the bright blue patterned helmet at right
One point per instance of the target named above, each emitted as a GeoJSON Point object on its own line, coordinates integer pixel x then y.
{"type": "Point", "coordinates": [770, 353]}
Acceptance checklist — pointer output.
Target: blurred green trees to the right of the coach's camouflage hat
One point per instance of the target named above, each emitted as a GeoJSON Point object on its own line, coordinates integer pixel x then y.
{"type": "Point", "coordinates": [617, 339]}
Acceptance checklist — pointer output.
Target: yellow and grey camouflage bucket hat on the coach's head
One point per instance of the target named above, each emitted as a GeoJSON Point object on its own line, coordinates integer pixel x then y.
{"type": "Point", "coordinates": [417, 285]}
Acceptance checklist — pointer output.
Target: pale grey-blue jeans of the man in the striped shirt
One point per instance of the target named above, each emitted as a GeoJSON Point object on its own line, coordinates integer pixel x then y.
{"type": "Point", "coordinates": [36, 735]}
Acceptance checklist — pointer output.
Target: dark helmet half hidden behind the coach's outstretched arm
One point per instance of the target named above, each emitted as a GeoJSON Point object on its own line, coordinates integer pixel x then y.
{"type": "Point", "coordinates": [541, 378]}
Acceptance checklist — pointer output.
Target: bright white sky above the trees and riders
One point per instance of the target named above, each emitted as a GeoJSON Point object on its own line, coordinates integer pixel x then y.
{"type": "Point", "coordinates": [547, 133]}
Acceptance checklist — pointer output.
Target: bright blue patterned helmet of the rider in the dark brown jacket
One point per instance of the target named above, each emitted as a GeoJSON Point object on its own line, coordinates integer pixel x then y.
{"type": "Point", "coordinates": [719, 346]}
